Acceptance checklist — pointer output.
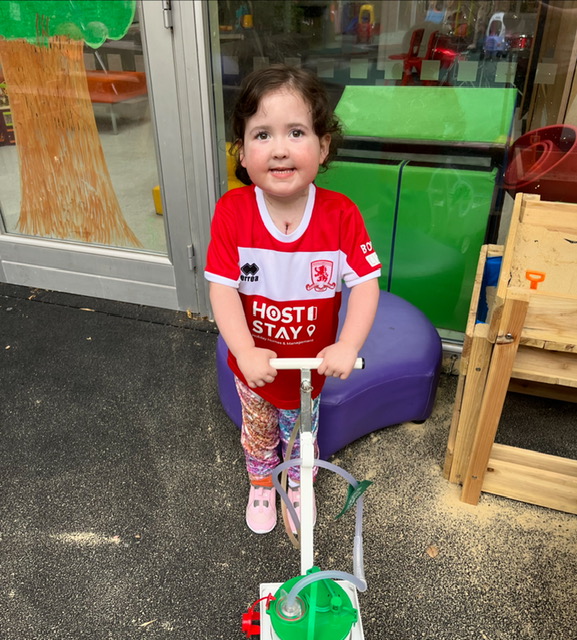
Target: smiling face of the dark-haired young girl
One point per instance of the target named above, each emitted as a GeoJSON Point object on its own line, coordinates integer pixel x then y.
{"type": "Point", "coordinates": [281, 151]}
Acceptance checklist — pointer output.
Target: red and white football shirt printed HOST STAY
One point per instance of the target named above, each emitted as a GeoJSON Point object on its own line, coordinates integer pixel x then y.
{"type": "Point", "coordinates": [290, 285]}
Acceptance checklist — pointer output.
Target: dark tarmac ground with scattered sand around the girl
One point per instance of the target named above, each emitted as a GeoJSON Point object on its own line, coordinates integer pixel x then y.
{"type": "Point", "coordinates": [123, 493]}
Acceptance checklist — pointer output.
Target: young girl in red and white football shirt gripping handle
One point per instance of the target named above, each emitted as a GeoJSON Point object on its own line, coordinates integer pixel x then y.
{"type": "Point", "coordinates": [279, 251]}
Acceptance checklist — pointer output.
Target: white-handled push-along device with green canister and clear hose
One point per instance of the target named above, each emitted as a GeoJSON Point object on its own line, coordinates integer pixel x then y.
{"type": "Point", "coordinates": [317, 605]}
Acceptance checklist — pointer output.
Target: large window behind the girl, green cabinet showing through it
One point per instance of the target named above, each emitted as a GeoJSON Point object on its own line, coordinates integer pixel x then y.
{"type": "Point", "coordinates": [431, 95]}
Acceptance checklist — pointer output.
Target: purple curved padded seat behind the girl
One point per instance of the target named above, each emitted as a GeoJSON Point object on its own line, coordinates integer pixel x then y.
{"type": "Point", "coordinates": [402, 364]}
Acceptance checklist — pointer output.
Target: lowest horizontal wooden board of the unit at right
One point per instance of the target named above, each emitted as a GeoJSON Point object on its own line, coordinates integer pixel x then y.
{"type": "Point", "coordinates": [532, 477]}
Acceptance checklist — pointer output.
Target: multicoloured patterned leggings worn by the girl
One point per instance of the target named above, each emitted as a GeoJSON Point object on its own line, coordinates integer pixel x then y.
{"type": "Point", "coordinates": [263, 427]}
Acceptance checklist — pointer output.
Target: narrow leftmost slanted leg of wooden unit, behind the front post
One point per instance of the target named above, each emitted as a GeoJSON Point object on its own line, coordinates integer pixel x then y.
{"type": "Point", "coordinates": [471, 402]}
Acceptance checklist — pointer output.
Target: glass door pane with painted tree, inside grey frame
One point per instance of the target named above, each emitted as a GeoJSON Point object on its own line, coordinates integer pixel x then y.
{"type": "Point", "coordinates": [77, 157]}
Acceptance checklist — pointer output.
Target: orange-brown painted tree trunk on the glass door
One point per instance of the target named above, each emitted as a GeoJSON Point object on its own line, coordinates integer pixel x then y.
{"type": "Point", "coordinates": [65, 185]}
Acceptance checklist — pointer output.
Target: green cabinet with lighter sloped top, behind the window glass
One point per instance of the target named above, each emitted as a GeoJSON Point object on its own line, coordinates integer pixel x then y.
{"type": "Point", "coordinates": [422, 164]}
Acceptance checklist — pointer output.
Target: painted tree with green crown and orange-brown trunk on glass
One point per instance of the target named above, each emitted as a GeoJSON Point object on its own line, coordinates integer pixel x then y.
{"type": "Point", "coordinates": [66, 190]}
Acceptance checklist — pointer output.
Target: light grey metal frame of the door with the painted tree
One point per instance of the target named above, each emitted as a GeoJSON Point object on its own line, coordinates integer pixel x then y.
{"type": "Point", "coordinates": [180, 103]}
